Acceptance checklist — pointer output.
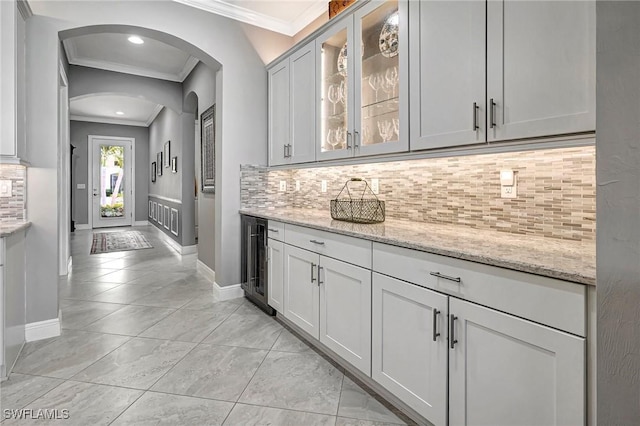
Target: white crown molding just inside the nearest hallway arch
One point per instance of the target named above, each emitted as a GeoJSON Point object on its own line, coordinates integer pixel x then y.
{"type": "Point", "coordinates": [74, 59]}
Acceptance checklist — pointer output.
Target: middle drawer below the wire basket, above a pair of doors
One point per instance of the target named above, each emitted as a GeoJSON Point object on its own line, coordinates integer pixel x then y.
{"type": "Point", "coordinates": [341, 247]}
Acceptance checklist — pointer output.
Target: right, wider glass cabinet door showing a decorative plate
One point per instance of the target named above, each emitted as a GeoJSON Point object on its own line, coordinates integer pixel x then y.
{"type": "Point", "coordinates": [380, 118]}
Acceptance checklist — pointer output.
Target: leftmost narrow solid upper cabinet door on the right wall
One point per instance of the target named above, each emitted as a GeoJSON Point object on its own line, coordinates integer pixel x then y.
{"type": "Point", "coordinates": [279, 119]}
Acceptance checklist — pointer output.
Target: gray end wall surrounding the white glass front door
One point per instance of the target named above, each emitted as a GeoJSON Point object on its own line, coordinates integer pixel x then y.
{"type": "Point", "coordinates": [80, 131]}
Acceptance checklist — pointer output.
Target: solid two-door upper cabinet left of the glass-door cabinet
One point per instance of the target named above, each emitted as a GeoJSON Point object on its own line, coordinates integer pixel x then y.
{"type": "Point", "coordinates": [292, 102]}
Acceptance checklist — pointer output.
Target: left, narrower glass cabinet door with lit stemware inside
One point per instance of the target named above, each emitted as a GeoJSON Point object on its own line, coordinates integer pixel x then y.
{"type": "Point", "coordinates": [336, 86]}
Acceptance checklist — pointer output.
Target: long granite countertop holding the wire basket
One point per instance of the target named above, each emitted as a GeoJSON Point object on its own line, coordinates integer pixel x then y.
{"type": "Point", "coordinates": [562, 259]}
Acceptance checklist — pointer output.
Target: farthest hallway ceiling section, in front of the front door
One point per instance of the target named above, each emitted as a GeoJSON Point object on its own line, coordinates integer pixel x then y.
{"type": "Point", "coordinates": [102, 109]}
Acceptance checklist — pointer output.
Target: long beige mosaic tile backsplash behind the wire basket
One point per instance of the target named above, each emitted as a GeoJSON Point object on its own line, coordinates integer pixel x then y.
{"type": "Point", "coordinates": [556, 190]}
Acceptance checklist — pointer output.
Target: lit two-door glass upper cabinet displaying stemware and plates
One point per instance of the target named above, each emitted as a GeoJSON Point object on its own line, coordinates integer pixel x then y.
{"type": "Point", "coordinates": [363, 83]}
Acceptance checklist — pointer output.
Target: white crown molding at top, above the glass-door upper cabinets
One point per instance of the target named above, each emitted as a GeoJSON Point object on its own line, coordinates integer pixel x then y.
{"type": "Point", "coordinates": [257, 19]}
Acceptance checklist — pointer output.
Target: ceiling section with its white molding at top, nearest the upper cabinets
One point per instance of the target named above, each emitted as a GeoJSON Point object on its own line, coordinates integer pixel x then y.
{"type": "Point", "coordinates": [287, 17]}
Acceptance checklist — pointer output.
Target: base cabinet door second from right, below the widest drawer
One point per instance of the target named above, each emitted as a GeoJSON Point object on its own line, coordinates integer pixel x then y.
{"type": "Point", "coordinates": [410, 345]}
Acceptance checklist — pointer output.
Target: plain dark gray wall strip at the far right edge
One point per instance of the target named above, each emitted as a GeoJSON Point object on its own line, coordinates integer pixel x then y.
{"type": "Point", "coordinates": [618, 205]}
